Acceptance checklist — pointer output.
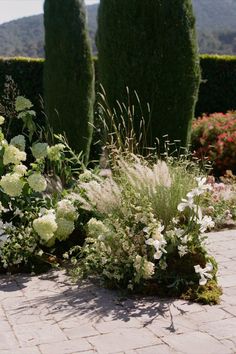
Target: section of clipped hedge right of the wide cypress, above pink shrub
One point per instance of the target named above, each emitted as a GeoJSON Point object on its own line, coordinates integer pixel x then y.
{"type": "Point", "coordinates": [218, 87]}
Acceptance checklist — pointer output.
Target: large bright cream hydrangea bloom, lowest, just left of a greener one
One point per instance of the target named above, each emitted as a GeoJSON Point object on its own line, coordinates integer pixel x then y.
{"type": "Point", "coordinates": [45, 226]}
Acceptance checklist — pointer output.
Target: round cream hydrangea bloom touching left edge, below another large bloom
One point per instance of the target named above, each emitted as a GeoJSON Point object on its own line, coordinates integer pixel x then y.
{"type": "Point", "coordinates": [12, 184]}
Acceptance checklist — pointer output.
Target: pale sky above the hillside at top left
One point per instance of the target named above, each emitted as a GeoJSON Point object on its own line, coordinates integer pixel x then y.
{"type": "Point", "coordinates": [13, 9]}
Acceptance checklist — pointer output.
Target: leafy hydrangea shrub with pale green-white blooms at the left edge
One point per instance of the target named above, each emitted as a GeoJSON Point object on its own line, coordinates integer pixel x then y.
{"type": "Point", "coordinates": [35, 214]}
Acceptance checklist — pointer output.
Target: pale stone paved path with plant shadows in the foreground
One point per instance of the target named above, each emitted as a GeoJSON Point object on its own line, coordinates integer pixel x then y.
{"type": "Point", "coordinates": [46, 314]}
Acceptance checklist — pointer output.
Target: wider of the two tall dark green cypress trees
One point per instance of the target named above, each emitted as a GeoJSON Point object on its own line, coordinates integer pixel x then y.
{"type": "Point", "coordinates": [150, 46]}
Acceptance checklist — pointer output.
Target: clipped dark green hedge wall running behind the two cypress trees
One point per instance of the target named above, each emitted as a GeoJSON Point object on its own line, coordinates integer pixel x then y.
{"type": "Point", "coordinates": [217, 90]}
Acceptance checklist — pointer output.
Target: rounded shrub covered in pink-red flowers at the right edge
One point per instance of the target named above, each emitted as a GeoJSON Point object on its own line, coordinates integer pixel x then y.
{"type": "Point", "coordinates": [214, 139]}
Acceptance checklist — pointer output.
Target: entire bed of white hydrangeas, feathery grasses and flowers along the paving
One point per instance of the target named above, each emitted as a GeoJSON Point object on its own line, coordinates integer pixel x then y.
{"type": "Point", "coordinates": [145, 221]}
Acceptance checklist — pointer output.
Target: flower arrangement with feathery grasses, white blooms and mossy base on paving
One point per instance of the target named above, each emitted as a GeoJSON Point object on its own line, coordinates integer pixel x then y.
{"type": "Point", "coordinates": [147, 233]}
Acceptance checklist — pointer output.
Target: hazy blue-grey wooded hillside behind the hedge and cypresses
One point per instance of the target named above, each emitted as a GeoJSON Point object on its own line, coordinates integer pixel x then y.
{"type": "Point", "coordinates": [215, 23]}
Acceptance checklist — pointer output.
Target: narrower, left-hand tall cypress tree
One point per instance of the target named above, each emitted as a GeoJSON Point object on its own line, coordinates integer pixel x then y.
{"type": "Point", "coordinates": [68, 72]}
